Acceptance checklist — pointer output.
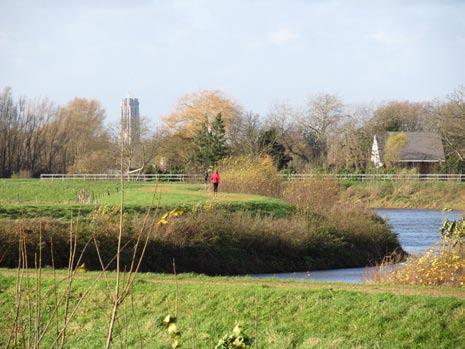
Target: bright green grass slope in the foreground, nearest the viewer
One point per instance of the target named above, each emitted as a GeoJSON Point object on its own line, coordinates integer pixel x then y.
{"type": "Point", "coordinates": [276, 314]}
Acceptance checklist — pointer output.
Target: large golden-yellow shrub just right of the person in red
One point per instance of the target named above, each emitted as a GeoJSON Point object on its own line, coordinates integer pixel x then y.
{"type": "Point", "coordinates": [249, 174]}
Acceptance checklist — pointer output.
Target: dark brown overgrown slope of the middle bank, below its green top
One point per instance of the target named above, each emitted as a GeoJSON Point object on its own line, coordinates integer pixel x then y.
{"type": "Point", "coordinates": [210, 240]}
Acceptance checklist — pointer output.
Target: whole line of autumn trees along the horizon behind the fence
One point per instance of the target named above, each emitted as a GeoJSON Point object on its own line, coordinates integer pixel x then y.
{"type": "Point", "coordinates": [37, 136]}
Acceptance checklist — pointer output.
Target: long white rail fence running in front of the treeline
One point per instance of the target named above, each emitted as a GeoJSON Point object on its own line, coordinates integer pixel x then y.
{"type": "Point", "coordinates": [171, 177]}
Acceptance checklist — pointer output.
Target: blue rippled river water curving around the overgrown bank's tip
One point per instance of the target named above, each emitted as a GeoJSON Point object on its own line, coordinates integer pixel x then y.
{"type": "Point", "coordinates": [417, 229]}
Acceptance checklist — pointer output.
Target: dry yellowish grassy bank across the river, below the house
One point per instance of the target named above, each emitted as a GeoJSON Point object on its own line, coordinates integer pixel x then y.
{"type": "Point", "coordinates": [405, 194]}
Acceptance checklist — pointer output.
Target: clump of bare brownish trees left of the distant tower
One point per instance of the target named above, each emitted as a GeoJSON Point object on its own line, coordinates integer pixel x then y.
{"type": "Point", "coordinates": [37, 136]}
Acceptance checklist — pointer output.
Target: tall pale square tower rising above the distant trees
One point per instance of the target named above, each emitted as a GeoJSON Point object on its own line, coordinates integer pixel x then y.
{"type": "Point", "coordinates": [130, 121]}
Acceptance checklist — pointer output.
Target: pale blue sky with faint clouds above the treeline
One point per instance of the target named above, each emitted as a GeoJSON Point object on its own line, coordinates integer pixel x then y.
{"type": "Point", "coordinates": [258, 52]}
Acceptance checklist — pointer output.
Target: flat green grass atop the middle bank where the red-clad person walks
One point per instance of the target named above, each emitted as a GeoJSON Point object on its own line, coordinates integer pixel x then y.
{"type": "Point", "coordinates": [31, 198]}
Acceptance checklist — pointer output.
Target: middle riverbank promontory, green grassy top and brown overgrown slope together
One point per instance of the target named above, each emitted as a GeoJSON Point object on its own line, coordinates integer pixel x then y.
{"type": "Point", "coordinates": [228, 234]}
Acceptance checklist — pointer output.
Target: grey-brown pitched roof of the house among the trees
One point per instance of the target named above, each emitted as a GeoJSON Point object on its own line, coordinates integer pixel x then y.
{"type": "Point", "coordinates": [419, 146]}
